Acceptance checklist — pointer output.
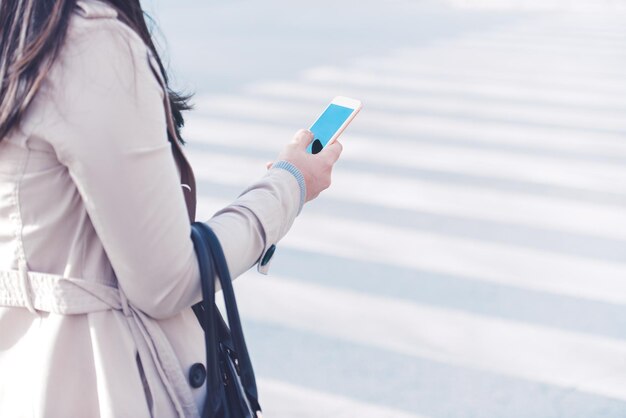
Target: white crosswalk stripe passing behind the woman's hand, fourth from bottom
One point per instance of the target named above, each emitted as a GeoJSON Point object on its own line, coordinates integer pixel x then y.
{"type": "Point", "coordinates": [465, 201]}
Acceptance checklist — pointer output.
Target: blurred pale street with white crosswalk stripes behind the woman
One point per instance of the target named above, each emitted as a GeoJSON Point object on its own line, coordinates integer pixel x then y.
{"type": "Point", "coordinates": [470, 258]}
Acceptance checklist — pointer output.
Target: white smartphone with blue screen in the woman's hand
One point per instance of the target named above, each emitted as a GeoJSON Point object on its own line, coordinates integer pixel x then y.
{"type": "Point", "coordinates": [331, 123]}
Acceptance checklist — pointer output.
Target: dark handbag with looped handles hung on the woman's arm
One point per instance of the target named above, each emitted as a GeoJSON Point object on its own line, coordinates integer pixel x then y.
{"type": "Point", "coordinates": [231, 386]}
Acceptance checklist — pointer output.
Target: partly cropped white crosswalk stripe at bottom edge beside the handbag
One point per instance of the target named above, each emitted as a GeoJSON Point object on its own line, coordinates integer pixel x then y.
{"type": "Point", "coordinates": [284, 400]}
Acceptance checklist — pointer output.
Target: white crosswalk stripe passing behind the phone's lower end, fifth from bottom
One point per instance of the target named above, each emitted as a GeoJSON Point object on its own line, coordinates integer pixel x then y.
{"type": "Point", "coordinates": [449, 159]}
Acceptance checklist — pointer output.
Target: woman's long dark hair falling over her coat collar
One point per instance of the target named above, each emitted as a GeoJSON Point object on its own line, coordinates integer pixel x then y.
{"type": "Point", "coordinates": [31, 35]}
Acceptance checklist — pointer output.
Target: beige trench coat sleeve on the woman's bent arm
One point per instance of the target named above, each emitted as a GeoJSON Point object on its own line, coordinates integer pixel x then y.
{"type": "Point", "coordinates": [111, 136]}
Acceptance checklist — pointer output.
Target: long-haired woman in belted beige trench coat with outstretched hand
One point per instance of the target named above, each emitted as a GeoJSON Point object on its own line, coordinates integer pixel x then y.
{"type": "Point", "coordinates": [97, 269]}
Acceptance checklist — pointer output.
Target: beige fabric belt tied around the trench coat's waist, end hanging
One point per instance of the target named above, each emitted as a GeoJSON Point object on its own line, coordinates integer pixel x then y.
{"type": "Point", "coordinates": [68, 296]}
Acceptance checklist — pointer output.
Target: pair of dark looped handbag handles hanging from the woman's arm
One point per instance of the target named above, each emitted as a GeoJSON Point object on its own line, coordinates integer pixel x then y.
{"type": "Point", "coordinates": [217, 264]}
